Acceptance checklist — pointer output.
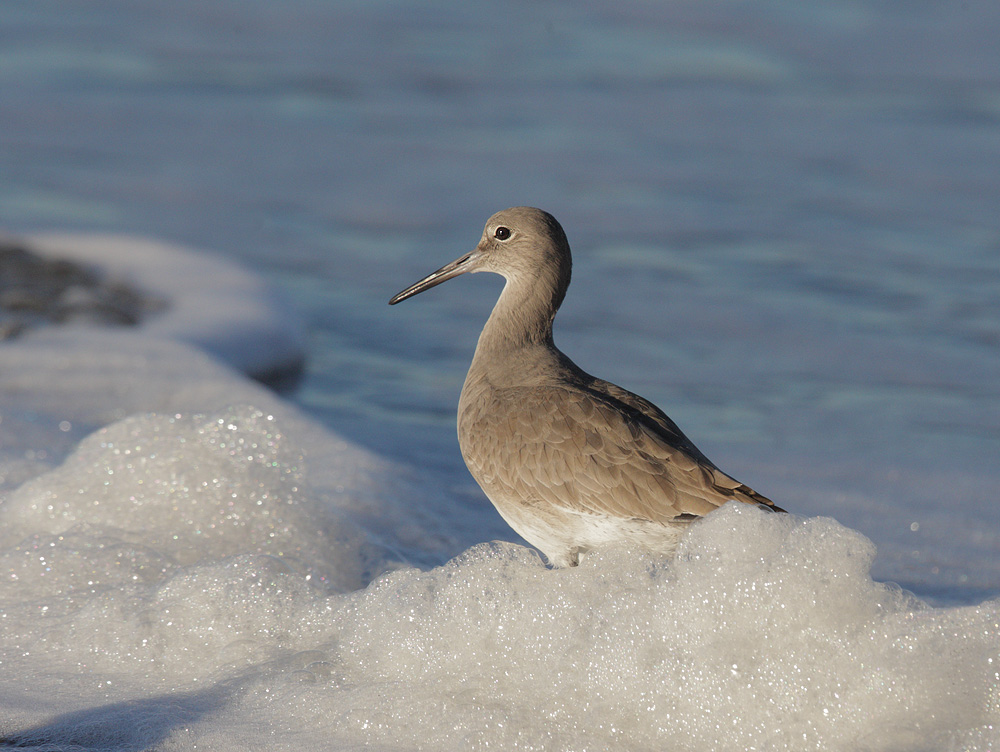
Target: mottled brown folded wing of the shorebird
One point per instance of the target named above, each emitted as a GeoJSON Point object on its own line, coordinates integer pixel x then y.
{"type": "Point", "coordinates": [589, 452]}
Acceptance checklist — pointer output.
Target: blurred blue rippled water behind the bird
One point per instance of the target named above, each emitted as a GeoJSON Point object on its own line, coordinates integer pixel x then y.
{"type": "Point", "coordinates": [784, 215]}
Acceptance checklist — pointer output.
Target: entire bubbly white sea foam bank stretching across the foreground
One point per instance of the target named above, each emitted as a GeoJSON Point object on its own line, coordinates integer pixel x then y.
{"type": "Point", "coordinates": [176, 582]}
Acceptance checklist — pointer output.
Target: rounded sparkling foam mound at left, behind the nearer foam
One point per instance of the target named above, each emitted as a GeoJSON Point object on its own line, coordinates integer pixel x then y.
{"type": "Point", "coordinates": [183, 490]}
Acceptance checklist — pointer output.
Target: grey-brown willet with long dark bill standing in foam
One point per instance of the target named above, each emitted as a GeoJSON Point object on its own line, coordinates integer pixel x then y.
{"type": "Point", "coordinates": [571, 462]}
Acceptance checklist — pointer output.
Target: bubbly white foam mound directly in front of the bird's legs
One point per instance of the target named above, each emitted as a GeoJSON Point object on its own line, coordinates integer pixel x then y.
{"type": "Point", "coordinates": [766, 632]}
